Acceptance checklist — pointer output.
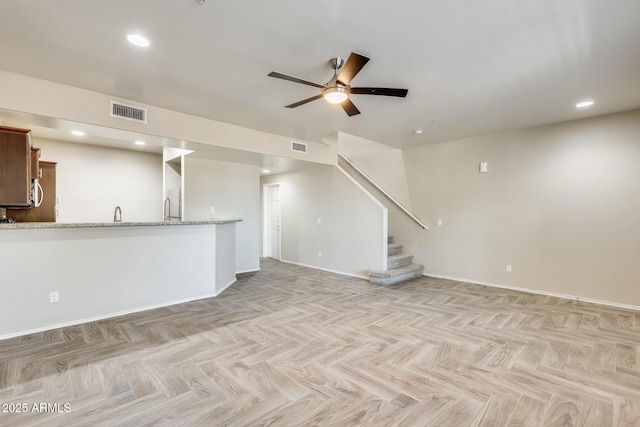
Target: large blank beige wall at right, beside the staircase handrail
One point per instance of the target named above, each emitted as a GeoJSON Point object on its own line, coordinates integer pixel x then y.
{"type": "Point", "coordinates": [559, 203]}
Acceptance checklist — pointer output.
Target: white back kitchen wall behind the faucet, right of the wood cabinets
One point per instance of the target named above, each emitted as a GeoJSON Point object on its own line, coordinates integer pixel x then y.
{"type": "Point", "coordinates": [92, 180]}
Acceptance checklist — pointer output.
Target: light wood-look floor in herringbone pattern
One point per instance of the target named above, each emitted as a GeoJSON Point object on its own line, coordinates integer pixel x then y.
{"type": "Point", "coordinates": [291, 346]}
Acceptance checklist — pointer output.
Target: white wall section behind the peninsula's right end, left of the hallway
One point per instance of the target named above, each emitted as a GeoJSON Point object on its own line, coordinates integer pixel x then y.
{"type": "Point", "coordinates": [233, 190]}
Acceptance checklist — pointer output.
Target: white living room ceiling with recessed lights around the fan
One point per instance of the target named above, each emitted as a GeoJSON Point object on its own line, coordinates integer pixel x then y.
{"type": "Point", "coordinates": [471, 67]}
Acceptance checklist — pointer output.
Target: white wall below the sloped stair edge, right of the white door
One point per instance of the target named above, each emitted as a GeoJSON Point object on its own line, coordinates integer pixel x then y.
{"type": "Point", "coordinates": [352, 233]}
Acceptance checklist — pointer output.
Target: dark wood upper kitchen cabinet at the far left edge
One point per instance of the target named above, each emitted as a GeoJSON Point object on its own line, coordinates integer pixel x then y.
{"type": "Point", "coordinates": [15, 167]}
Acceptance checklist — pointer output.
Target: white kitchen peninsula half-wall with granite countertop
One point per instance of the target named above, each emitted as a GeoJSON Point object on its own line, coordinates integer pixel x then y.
{"type": "Point", "coordinates": [102, 270]}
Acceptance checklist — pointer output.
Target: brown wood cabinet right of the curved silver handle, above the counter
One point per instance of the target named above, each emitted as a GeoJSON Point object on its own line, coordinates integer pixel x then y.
{"type": "Point", "coordinates": [47, 212]}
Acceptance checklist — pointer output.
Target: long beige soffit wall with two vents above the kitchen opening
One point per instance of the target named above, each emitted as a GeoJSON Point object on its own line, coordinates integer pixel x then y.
{"type": "Point", "coordinates": [58, 104]}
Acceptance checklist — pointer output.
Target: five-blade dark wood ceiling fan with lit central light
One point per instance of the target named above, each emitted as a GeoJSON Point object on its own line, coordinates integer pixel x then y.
{"type": "Point", "coordinates": [337, 90]}
